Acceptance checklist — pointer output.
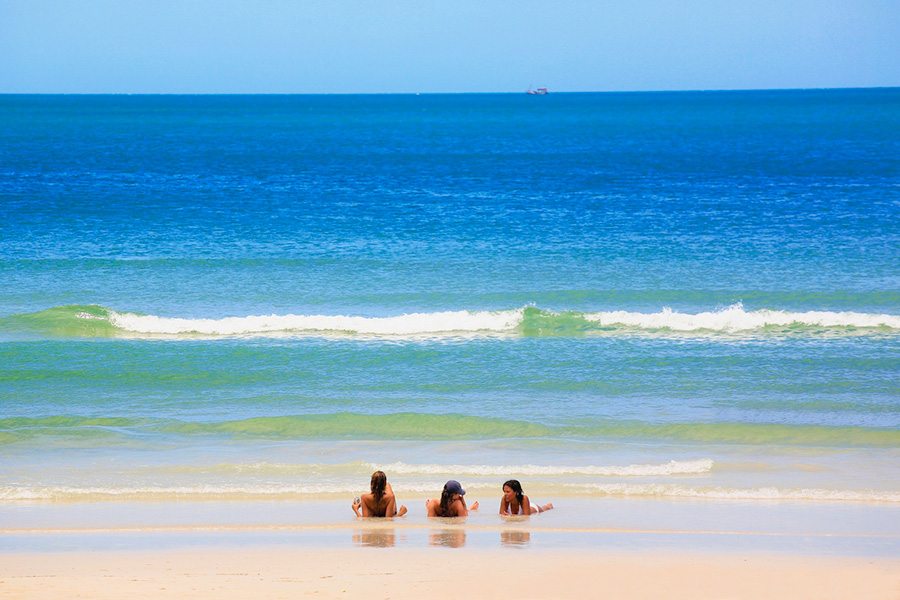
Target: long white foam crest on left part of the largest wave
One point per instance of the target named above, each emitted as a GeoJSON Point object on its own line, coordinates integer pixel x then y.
{"type": "Point", "coordinates": [408, 324]}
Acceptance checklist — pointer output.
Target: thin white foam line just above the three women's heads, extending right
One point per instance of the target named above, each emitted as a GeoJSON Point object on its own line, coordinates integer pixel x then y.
{"type": "Point", "coordinates": [673, 467]}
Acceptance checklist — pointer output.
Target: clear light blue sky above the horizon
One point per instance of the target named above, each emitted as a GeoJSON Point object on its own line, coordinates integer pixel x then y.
{"type": "Point", "coordinates": [428, 46]}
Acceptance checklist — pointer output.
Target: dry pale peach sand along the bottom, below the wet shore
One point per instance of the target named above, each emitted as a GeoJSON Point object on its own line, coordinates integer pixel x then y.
{"type": "Point", "coordinates": [407, 573]}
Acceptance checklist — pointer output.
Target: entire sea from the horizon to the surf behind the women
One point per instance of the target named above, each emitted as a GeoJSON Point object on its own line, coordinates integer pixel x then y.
{"type": "Point", "coordinates": [669, 295]}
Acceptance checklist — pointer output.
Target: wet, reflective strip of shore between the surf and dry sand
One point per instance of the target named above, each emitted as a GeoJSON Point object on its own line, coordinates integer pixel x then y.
{"type": "Point", "coordinates": [576, 521]}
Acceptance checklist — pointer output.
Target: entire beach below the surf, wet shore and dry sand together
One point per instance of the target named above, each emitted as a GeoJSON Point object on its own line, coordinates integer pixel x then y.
{"type": "Point", "coordinates": [637, 549]}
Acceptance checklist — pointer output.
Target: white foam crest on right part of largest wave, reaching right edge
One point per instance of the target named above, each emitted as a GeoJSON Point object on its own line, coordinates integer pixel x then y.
{"type": "Point", "coordinates": [736, 319]}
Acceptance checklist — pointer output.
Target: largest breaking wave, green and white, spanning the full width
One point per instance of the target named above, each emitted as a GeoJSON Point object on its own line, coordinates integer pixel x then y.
{"type": "Point", "coordinates": [97, 321]}
